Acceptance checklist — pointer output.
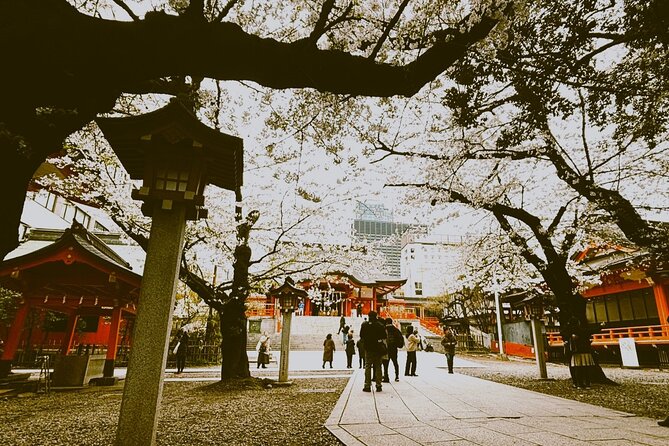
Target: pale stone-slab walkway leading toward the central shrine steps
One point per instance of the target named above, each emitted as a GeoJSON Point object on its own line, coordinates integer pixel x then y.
{"type": "Point", "coordinates": [436, 408]}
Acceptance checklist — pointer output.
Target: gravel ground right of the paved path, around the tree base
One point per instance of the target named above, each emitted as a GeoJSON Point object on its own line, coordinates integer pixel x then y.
{"type": "Point", "coordinates": [643, 392]}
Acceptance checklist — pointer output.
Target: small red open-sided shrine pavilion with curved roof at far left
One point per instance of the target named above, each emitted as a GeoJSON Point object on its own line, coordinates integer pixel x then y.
{"type": "Point", "coordinates": [74, 295]}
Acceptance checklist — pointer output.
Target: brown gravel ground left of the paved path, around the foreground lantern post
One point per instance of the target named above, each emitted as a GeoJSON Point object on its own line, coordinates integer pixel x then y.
{"type": "Point", "coordinates": [193, 413]}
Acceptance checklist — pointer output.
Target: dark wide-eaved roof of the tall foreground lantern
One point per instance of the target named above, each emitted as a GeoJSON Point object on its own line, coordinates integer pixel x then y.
{"type": "Point", "coordinates": [174, 130]}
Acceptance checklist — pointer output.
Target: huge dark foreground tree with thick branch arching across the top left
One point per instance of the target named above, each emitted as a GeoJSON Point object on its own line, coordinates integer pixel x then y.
{"type": "Point", "coordinates": [71, 61]}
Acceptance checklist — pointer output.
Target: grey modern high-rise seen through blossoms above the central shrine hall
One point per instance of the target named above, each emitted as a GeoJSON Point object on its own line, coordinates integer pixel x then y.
{"type": "Point", "coordinates": [374, 223]}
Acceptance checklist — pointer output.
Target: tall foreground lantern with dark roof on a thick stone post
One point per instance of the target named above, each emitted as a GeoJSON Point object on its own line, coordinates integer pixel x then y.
{"type": "Point", "coordinates": [176, 156]}
